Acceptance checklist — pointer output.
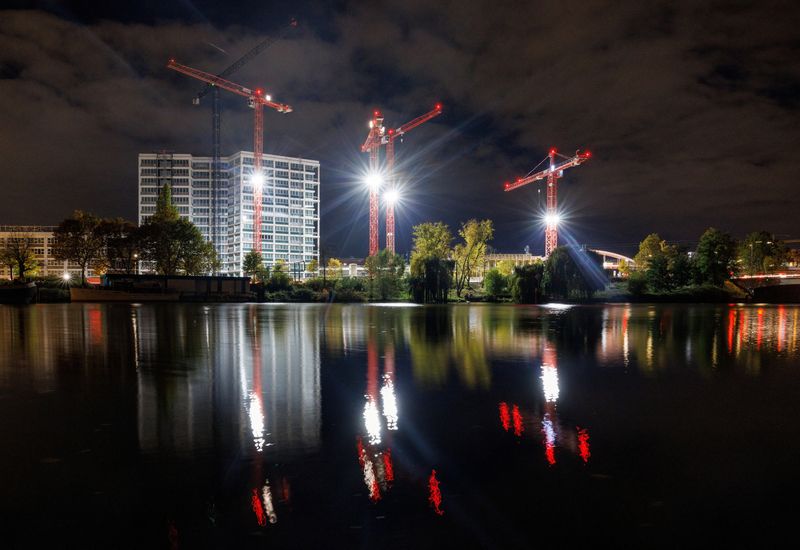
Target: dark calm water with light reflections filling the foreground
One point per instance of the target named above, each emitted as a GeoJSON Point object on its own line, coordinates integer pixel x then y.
{"type": "Point", "coordinates": [394, 426]}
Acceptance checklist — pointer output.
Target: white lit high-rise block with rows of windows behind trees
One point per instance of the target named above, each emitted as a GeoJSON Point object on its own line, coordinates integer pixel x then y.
{"type": "Point", "coordinates": [290, 204]}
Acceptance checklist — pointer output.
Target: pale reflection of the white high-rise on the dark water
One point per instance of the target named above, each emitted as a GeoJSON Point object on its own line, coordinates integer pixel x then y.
{"type": "Point", "coordinates": [256, 368]}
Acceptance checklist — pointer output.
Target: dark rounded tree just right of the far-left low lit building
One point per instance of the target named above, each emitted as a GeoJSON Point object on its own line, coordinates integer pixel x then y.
{"type": "Point", "coordinates": [79, 240]}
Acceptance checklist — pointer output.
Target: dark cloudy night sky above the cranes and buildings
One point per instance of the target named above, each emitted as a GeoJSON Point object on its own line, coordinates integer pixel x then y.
{"type": "Point", "coordinates": [691, 109]}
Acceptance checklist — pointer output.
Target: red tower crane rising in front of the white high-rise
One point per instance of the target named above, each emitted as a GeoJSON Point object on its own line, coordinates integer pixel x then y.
{"type": "Point", "coordinates": [256, 100]}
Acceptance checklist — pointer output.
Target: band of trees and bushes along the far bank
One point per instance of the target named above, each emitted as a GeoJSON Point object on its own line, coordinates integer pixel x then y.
{"type": "Point", "coordinates": [442, 267]}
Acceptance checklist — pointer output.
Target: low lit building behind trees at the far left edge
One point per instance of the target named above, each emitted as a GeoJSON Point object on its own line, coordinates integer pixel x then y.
{"type": "Point", "coordinates": [40, 239]}
